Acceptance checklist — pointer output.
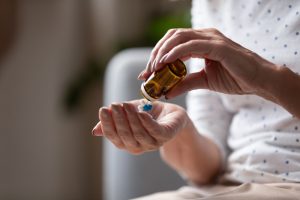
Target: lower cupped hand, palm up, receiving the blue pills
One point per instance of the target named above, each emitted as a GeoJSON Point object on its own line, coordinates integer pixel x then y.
{"type": "Point", "coordinates": [138, 132]}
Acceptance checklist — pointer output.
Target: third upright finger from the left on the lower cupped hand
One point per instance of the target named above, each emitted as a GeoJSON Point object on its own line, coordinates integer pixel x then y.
{"type": "Point", "coordinates": [139, 132]}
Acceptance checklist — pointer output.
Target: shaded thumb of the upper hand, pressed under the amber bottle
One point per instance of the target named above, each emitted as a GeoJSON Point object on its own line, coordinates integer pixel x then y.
{"type": "Point", "coordinates": [193, 81]}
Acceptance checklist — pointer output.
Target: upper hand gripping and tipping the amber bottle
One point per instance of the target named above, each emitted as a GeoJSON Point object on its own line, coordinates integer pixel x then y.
{"type": "Point", "coordinates": [229, 67]}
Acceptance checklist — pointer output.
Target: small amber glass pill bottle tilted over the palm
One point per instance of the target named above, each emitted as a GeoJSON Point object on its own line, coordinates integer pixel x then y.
{"type": "Point", "coordinates": [163, 80]}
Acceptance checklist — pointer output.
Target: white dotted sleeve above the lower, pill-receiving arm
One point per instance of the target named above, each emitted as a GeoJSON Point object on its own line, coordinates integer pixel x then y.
{"type": "Point", "coordinates": [209, 115]}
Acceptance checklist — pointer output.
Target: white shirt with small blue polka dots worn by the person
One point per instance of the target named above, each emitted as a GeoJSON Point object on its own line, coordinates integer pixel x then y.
{"type": "Point", "coordinates": [259, 140]}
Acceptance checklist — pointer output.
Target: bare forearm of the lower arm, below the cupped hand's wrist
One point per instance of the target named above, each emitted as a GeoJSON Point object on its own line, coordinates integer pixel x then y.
{"type": "Point", "coordinates": [192, 155]}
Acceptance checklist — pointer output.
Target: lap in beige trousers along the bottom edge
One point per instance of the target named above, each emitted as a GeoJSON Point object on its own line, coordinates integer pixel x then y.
{"type": "Point", "coordinates": [246, 191]}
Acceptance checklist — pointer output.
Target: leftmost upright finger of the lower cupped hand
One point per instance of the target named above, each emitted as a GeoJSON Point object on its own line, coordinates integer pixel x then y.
{"type": "Point", "coordinates": [108, 127]}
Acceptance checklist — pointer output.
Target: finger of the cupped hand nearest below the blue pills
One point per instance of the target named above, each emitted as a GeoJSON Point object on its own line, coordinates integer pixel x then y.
{"type": "Point", "coordinates": [153, 127]}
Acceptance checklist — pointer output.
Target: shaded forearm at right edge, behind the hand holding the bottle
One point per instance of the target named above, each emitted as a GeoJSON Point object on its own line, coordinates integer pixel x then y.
{"type": "Point", "coordinates": [284, 88]}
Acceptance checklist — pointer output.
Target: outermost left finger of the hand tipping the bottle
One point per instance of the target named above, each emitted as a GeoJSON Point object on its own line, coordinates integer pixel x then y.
{"type": "Point", "coordinates": [148, 71]}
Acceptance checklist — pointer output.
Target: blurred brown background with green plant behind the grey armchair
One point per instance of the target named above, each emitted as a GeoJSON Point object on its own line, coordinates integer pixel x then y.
{"type": "Point", "coordinates": [53, 55]}
